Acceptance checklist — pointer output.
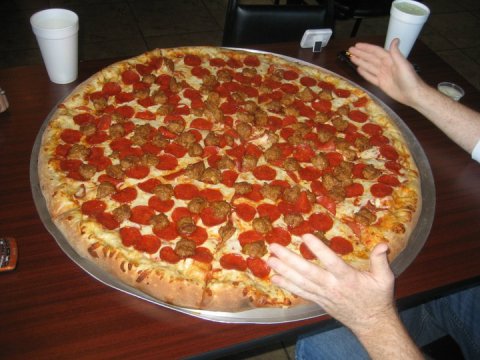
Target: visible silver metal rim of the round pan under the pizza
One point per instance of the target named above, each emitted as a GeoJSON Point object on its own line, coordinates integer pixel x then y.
{"type": "Point", "coordinates": [260, 315]}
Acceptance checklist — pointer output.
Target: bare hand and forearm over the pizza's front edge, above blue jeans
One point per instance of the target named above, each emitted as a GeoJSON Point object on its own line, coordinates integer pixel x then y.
{"type": "Point", "coordinates": [361, 300]}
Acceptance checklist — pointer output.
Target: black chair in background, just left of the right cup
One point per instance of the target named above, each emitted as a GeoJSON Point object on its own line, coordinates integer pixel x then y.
{"type": "Point", "coordinates": [360, 9]}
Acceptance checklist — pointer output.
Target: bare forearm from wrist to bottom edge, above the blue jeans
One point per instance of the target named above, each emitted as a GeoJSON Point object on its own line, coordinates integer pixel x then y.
{"type": "Point", "coordinates": [388, 339]}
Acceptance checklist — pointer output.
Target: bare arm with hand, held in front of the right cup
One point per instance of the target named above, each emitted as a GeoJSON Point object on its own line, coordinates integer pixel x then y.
{"type": "Point", "coordinates": [391, 72]}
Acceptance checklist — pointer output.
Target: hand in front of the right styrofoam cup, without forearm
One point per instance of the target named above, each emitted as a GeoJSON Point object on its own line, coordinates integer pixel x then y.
{"type": "Point", "coordinates": [389, 70]}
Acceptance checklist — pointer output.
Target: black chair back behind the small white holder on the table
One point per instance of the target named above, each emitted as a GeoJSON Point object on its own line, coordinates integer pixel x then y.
{"type": "Point", "coordinates": [260, 24]}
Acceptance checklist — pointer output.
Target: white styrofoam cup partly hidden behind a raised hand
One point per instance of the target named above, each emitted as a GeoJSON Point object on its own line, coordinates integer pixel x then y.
{"type": "Point", "coordinates": [406, 24]}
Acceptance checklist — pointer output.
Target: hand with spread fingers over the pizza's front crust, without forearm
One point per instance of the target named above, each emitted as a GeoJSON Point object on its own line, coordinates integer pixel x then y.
{"type": "Point", "coordinates": [358, 299]}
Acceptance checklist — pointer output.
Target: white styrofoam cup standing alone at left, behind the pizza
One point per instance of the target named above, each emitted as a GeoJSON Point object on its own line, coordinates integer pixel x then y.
{"type": "Point", "coordinates": [57, 36]}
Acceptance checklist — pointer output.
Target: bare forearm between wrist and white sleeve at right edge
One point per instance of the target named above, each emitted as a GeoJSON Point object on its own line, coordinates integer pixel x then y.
{"type": "Point", "coordinates": [457, 121]}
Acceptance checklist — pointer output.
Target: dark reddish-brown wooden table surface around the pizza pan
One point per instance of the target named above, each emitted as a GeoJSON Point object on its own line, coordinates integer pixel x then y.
{"type": "Point", "coordinates": [49, 307]}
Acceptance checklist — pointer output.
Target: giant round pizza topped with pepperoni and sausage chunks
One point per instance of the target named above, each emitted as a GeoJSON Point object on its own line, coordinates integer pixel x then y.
{"type": "Point", "coordinates": [176, 169]}
